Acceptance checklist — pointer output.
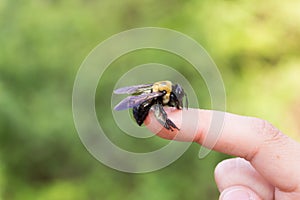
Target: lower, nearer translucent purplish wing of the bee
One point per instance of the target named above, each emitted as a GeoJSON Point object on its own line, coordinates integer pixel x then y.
{"type": "Point", "coordinates": [132, 101]}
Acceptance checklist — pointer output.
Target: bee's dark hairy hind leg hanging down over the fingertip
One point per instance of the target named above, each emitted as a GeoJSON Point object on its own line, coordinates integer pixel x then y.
{"type": "Point", "coordinates": [162, 117]}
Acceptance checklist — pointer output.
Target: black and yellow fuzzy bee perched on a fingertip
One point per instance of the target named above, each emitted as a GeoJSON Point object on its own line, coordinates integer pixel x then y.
{"type": "Point", "coordinates": [155, 96]}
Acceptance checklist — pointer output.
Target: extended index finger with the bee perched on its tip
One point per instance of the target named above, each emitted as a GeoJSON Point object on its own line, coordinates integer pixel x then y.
{"type": "Point", "coordinates": [270, 152]}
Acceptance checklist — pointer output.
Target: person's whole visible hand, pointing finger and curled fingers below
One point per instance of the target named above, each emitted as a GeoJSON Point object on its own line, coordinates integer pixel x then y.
{"type": "Point", "coordinates": [267, 164]}
